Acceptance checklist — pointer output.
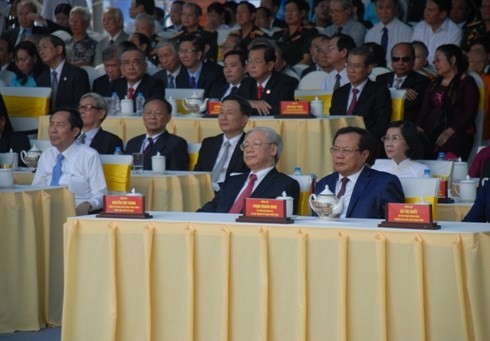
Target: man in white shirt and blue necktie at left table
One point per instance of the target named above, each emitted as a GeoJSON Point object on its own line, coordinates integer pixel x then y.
{"type": "Point", "coordinates": [68, 163]}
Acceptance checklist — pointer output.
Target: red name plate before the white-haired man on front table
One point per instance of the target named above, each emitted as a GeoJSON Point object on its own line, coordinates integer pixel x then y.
{"type": "Point", "coordinates": [265, 210]}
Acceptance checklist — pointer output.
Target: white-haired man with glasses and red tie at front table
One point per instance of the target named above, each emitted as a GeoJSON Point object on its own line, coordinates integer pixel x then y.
{"type": "Point", "coordinates": [261, 150]}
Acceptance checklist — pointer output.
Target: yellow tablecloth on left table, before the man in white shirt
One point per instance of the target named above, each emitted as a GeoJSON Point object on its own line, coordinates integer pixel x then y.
{"type": "Point", "coordinates": [31, 256]}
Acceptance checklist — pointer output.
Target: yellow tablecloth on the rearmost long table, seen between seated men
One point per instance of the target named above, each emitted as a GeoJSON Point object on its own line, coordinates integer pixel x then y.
{"type": "Point", "coordinates": [306, 141]}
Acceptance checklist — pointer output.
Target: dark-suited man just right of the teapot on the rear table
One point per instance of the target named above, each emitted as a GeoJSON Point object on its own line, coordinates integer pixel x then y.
{"type": "Point", "coordinates": [234, 70]}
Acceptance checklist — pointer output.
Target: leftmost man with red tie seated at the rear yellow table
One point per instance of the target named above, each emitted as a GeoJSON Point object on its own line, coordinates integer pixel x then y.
{"type": "Point", "coordinates": [135, 80]}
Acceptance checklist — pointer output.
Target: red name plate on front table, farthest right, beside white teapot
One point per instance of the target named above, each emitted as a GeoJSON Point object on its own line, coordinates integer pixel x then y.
{"type": "Point", "coordinates": [413, 216]}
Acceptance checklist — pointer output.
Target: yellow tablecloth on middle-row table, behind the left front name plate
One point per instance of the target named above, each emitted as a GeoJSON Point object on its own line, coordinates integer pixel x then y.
{"type": "Point", "coordinates": [172, 191]}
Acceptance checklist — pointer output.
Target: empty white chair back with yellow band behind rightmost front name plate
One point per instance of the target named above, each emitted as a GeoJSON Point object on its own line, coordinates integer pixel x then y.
{"type": "Point", "coordinates": [416, 189]}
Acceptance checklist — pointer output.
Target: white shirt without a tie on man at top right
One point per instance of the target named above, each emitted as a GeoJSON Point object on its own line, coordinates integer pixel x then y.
{"type": "Point", "coordinates": [448, 33]}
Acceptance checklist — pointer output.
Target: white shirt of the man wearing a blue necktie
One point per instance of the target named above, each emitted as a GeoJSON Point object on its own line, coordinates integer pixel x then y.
{"type": "Point", "coordinates": [81, 172]}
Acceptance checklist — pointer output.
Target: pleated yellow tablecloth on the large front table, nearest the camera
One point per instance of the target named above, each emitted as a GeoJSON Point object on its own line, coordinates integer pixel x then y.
{"type": "Point", "coordinates": [204, 277]}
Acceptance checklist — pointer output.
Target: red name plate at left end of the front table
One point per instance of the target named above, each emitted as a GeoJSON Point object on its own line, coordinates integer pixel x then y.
{"type": "Point", "coordinates": [124, 206]}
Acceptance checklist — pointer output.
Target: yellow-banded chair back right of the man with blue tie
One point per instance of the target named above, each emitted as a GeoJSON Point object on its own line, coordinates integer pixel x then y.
{"type": "Point", "coordinates": [117, 172]}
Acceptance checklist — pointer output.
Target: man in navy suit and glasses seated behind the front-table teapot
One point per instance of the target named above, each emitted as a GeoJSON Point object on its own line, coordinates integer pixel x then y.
{"type": "Point", "coordinates": [364, 191]}
